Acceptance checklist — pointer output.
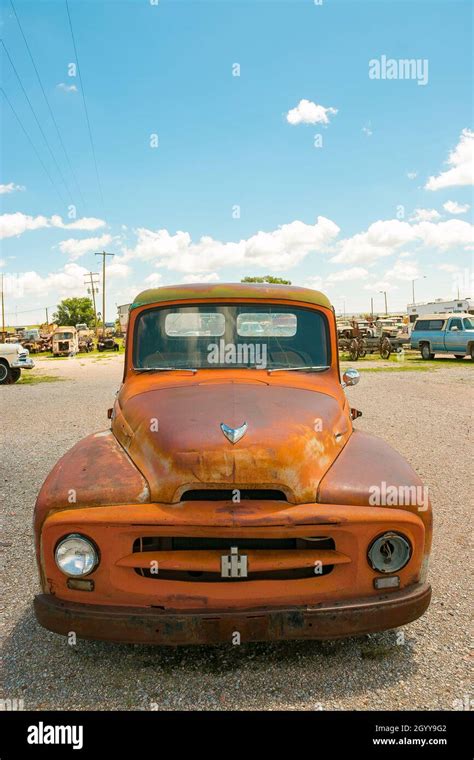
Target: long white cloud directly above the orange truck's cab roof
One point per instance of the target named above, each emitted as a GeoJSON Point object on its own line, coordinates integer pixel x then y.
{"type": "Point", "coordinates": [278, 250]}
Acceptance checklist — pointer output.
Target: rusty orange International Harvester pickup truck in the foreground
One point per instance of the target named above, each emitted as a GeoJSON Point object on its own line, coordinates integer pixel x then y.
{"type": "Point", "coordinates": [232, 498]}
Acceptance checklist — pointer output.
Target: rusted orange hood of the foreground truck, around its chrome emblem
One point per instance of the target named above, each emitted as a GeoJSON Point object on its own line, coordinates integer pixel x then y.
{"type": "Point", "coordinates": [174, 436]}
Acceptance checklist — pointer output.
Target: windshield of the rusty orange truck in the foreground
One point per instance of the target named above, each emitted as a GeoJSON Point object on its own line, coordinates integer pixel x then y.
{"type": "Point", "coordinates": [208, 336]}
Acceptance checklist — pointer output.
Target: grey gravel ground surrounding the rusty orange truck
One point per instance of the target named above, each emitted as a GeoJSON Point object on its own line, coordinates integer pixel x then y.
{"type": "Point", "coordinates": [427, 416]}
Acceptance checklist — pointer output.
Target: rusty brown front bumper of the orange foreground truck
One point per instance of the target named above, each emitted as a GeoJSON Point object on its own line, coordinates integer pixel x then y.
{"type": "Point", "coordinates": [151, 626]}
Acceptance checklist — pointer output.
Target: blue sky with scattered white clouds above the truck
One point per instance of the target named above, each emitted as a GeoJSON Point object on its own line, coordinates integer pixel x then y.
{"type": "Point", "coordinates": [303, 166]}
